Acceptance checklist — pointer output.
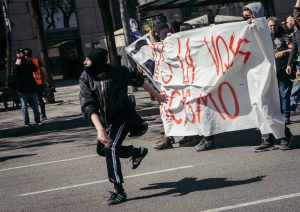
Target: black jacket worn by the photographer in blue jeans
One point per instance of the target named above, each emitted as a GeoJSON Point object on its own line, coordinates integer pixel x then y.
{"type": "Point", "coordinates": [24, 76]}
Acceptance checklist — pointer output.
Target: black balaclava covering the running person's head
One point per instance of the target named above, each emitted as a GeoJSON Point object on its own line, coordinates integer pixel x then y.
{"type": "Point", "coordinates": [98, 56]}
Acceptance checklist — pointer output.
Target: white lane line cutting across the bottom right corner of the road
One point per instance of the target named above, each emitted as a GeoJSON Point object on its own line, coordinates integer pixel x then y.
{"type": "Point", "coordinates": [230, 207]}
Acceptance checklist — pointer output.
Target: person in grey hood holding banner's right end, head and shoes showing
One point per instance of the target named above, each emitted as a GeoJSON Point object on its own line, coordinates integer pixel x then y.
{"type": "Point", "coordinates": [250, 12]}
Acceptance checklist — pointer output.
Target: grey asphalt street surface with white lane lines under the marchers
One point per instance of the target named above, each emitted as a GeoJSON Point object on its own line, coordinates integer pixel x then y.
{"type": "Point", "coordinates": [54, 167]}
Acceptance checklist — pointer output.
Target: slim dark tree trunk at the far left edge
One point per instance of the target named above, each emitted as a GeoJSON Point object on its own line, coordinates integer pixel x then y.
{"type": "Point", "coordinates": [8, 39]}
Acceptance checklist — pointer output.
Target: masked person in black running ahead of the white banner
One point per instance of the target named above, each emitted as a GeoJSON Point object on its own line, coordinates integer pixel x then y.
{"type": "Point", "coordinates": [105, 102]}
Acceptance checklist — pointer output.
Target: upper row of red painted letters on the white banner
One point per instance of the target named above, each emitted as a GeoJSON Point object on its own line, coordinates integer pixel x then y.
{"type": "Point", "coordinates": [186, 60]}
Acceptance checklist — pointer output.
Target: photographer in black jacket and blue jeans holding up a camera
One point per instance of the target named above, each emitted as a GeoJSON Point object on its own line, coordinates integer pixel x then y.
{"type": "Point", "coordinates": [26, 86]}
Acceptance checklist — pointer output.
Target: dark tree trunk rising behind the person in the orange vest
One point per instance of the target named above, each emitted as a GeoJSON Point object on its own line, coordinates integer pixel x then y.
{"type": "Point", "coordinates": [38, 24]}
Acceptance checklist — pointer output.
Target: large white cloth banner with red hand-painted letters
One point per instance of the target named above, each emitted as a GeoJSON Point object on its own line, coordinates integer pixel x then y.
{"type": "Point", "coordinates": [218, 79]}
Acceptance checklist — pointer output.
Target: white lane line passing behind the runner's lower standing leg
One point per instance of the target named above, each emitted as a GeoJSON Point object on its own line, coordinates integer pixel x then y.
{"type": "Point", "coordinates": [103, 181]}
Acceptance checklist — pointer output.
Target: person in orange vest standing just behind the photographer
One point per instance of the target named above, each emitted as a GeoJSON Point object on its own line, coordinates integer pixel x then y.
{"type": "Point", "coordinates": [40, 77]}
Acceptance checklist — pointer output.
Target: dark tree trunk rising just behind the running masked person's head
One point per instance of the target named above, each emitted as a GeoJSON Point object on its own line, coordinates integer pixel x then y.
{"type": "Point", "coordinates": [109, 31]}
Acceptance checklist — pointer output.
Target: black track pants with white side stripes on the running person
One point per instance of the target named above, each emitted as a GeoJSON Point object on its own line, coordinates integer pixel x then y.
{"type": "Point", "coordinates": [117, 133]}
